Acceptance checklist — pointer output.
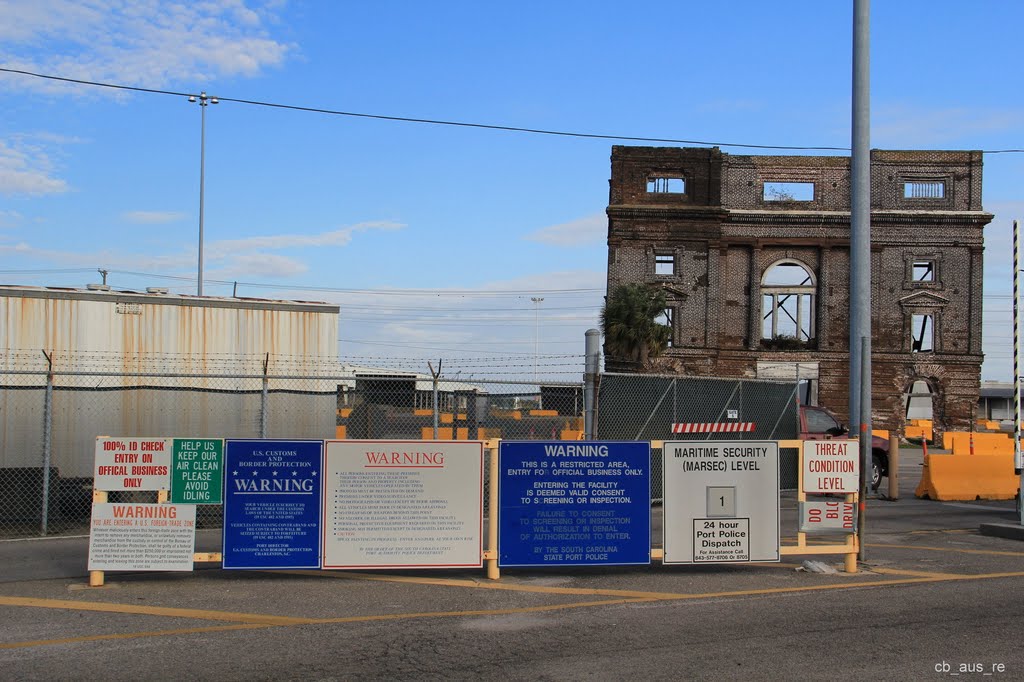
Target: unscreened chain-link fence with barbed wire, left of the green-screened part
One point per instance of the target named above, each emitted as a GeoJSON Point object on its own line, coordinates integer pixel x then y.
{"type": "Point", "coordinates": [50, 418]}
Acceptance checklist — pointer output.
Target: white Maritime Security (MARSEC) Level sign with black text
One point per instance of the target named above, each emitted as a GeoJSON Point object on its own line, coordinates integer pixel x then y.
{"type": "Point", "coordinates": [721, 502]}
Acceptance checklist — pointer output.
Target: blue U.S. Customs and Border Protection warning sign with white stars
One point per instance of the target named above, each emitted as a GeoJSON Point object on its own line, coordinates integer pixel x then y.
{"type": "Point", "coordinates": [273, 504]}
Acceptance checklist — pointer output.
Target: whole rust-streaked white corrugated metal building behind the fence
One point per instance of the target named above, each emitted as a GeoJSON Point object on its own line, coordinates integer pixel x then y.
{"type": "Point", "coordinates": [119, 359]}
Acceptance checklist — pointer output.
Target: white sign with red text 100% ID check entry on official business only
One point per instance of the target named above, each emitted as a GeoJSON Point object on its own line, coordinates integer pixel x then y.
{"type": "Point", "coordinates": [133, 464]}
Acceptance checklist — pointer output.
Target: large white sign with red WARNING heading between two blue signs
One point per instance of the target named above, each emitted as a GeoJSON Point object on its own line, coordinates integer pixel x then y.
{"type": "Point", "coordinates": [436, 518]}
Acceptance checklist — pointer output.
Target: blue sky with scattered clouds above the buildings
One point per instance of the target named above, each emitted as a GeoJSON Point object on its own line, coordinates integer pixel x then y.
{"type": "Point", "coordinates": [435, 239]}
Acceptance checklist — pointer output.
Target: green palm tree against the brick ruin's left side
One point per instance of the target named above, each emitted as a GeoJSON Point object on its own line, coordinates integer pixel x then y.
{"type": "Point", "coordinates": [628, 321]}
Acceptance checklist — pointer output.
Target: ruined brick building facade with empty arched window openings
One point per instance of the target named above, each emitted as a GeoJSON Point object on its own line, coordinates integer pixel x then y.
{"type": "Point", "coordinates": [753, 253]}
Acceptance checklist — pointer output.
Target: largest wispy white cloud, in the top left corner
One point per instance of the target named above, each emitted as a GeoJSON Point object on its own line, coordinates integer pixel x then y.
{"type": "Point", "coordinates": [145, 42]}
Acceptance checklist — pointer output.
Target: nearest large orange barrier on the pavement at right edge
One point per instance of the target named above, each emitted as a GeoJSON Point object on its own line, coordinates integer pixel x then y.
{"type": "Point", "coordinates": [968, 478]}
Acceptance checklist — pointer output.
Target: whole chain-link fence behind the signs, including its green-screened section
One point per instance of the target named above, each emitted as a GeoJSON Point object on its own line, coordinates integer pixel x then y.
{"type": "Point", "coordinates": [54, 407]}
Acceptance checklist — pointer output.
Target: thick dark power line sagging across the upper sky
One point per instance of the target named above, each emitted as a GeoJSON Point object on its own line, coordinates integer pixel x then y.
{"type": "Point", "coordinates": [441, 122]}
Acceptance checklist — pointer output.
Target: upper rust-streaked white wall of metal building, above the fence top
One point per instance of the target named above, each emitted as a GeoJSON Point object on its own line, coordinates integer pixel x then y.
{"type": "Point", "coordinates": [197, 334]}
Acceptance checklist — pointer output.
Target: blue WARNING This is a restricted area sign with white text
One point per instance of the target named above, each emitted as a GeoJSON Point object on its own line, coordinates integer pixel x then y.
{"type": "Point", "coordinates": [574, 504]}
